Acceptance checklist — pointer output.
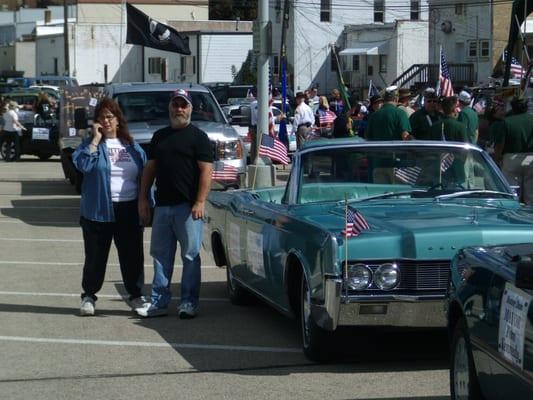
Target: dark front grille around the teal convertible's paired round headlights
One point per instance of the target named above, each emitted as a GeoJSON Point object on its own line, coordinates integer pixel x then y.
{"type": "Point", "coordinates": [415, 276]}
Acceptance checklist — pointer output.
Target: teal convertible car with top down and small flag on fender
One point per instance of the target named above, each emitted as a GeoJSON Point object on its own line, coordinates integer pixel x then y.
{"type": "Point", "coordinates": [363, 233]}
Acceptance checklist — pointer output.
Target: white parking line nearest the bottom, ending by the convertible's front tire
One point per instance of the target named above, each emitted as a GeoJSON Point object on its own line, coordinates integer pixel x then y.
{"type": "Point", "coordinates": [150, 344]}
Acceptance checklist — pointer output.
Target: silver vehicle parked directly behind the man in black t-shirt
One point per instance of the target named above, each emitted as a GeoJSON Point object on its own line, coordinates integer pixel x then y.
{"type": "Point", "coordinates": [145, 105]}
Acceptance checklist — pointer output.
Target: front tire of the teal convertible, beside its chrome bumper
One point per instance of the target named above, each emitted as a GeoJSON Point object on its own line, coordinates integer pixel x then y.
{"type": "Point", "coordinates": [316, 342]}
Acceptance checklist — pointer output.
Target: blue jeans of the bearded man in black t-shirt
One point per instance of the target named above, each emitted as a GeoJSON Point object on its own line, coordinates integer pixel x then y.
{"type": "Point", "coordinates": [172, 224]}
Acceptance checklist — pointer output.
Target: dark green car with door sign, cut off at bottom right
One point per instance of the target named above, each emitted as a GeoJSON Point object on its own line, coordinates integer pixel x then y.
{"type": "Point", "coordinates": [490, 322]}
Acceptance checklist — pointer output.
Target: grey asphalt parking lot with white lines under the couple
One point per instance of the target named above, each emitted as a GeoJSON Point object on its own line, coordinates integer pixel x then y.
{"type": "Point", "coordinates": [227, 352]}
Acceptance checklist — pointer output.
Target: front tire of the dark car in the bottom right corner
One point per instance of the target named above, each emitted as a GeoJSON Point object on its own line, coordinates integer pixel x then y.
{"type": "Point", "coordinates": [463, 377]}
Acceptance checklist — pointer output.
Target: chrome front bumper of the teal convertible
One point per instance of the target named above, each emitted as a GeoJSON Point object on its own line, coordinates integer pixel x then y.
{"type": "Point", "coordinates": [392, 310]}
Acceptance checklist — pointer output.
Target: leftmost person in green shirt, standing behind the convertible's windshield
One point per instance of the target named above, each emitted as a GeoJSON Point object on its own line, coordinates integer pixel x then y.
{"type": "Point", "coordinates": [389, 122]}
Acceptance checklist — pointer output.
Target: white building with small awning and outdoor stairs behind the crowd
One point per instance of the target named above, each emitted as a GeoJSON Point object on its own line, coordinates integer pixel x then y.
{"type": "Point", "coordinates": [315, 26]}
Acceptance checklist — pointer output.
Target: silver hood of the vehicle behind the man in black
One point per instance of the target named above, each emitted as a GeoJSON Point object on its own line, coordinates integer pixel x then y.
{"type": "Point", "coordinates": [142, 131]}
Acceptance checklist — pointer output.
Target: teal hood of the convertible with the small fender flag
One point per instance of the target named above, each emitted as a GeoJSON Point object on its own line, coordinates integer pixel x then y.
{"type": "Point", "coordinates": [429, 230]}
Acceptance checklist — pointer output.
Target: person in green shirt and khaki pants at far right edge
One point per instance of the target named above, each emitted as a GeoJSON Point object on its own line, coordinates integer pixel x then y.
{"type": "Point", "coordinates": [513, 149]}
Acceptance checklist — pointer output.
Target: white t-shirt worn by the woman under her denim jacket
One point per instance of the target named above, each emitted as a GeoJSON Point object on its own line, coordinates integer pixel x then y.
{"type": "Point", "coordinates": [124, 172]}
